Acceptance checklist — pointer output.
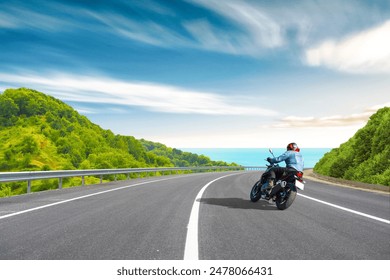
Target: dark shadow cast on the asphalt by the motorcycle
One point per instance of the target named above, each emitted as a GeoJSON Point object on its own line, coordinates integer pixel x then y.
{"type": "Point", "coordinates": [239, 203]}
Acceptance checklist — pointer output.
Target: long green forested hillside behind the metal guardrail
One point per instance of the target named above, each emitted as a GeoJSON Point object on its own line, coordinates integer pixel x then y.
{"type": "Point", "coordinates": [39, 132]}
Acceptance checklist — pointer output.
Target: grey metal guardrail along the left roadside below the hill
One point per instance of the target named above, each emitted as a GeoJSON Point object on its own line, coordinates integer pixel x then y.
{"type": "Point", "coordinates": [29, 176]}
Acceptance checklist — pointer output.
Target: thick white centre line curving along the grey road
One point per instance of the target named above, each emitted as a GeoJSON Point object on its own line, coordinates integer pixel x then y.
{"type": "Point", "coordinates": [191, 250]}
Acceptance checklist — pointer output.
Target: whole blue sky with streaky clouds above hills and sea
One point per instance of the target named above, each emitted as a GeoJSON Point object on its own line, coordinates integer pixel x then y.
{"type": "Point", "coordinates": [203, 73]}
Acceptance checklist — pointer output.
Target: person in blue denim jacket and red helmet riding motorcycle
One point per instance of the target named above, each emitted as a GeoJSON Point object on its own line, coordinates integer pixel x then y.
{"type": "Point", "coordinates": [294, 163]}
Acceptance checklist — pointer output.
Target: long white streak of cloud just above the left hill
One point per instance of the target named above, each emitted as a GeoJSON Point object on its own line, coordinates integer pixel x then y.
{"type": "Point", "coordinates": [153, 97]}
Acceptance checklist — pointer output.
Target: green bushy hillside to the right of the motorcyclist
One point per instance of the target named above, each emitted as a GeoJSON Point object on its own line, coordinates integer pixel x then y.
{"type": "Point", "coordinates": [365, 157]}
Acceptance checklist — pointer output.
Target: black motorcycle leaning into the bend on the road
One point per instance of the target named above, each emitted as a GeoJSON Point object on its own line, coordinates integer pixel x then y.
{"type": "Point", "coordinates": [284, 191]}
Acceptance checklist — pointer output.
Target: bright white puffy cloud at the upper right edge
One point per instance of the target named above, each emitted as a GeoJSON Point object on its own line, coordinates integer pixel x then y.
{"type": "Point", "coordinates": [365, 52]}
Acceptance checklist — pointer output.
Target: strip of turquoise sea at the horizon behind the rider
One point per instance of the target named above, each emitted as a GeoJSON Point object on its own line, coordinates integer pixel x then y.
{"type": "Point", "coordinates": [256, 156]}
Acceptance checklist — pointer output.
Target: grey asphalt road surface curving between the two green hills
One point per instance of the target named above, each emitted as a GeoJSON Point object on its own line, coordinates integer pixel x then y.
{"type": "Point", "coordinates": [148, 218]}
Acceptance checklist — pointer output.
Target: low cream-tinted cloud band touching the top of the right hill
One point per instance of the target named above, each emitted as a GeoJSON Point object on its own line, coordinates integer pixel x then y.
{"type": "Point", "coordinates": [330, 121]}
